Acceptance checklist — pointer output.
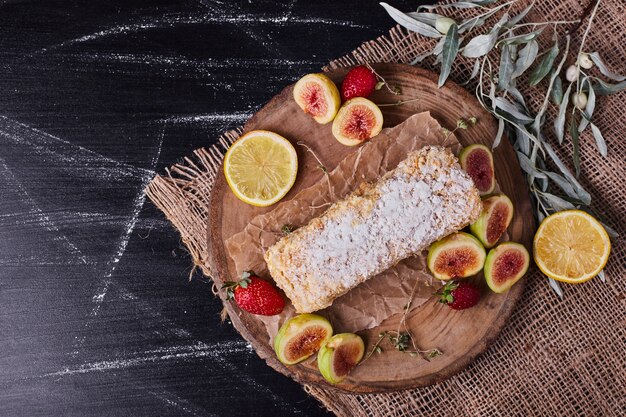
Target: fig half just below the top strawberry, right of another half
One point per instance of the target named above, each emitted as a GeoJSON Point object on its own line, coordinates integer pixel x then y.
{"type": "Point", "coordinates": [358, 120]}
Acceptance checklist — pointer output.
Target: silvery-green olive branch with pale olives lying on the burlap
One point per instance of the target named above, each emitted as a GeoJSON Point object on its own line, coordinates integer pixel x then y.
{"type": "Point", "coordinates": [497, 80]}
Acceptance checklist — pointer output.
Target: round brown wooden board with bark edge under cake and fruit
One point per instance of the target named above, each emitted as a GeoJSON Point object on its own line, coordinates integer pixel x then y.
{"type": "Point", "coordinates": [461, 335]}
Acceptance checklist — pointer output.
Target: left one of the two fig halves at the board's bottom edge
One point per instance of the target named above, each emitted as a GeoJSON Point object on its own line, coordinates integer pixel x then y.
{"type": "Point", "coordinates": [300, 337]}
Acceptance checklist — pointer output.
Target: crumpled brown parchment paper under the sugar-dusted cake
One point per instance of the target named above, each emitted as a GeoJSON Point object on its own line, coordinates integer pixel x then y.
{"type": "Point", "coordinates": [387, 293]}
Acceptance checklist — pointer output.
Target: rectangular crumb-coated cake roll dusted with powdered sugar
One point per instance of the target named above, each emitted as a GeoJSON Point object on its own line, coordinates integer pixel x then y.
{"type": "Point", "coordinates": [427, 197]}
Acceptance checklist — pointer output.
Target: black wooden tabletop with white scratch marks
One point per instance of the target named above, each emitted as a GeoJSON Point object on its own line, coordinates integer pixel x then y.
{"type": "Point", "coordinates": [98, 316]}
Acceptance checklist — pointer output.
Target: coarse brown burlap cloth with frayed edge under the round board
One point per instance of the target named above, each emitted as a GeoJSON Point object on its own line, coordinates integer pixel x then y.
{"type": "Point", "coordinates": [555, 357]}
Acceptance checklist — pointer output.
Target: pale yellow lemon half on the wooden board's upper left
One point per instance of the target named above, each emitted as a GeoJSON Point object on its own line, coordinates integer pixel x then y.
{"type": "Point", "coordinates": [261, 167]}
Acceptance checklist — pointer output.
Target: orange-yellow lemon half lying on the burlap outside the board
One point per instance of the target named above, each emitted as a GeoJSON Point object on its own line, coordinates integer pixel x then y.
{"type": "Point", "coordinates": [571, 246]}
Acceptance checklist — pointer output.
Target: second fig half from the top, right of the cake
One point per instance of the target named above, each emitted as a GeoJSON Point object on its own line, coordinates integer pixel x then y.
{"type": "Point", "coordinates": [494, 219]}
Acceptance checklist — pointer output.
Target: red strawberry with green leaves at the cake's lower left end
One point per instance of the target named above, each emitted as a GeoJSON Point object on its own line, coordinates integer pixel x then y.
{"type": "Point", "coordinates": [254, 295]}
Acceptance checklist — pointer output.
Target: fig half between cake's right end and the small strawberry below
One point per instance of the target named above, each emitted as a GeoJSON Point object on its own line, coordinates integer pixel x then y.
{"type": "Point", "coordinates": [458, 255]}
